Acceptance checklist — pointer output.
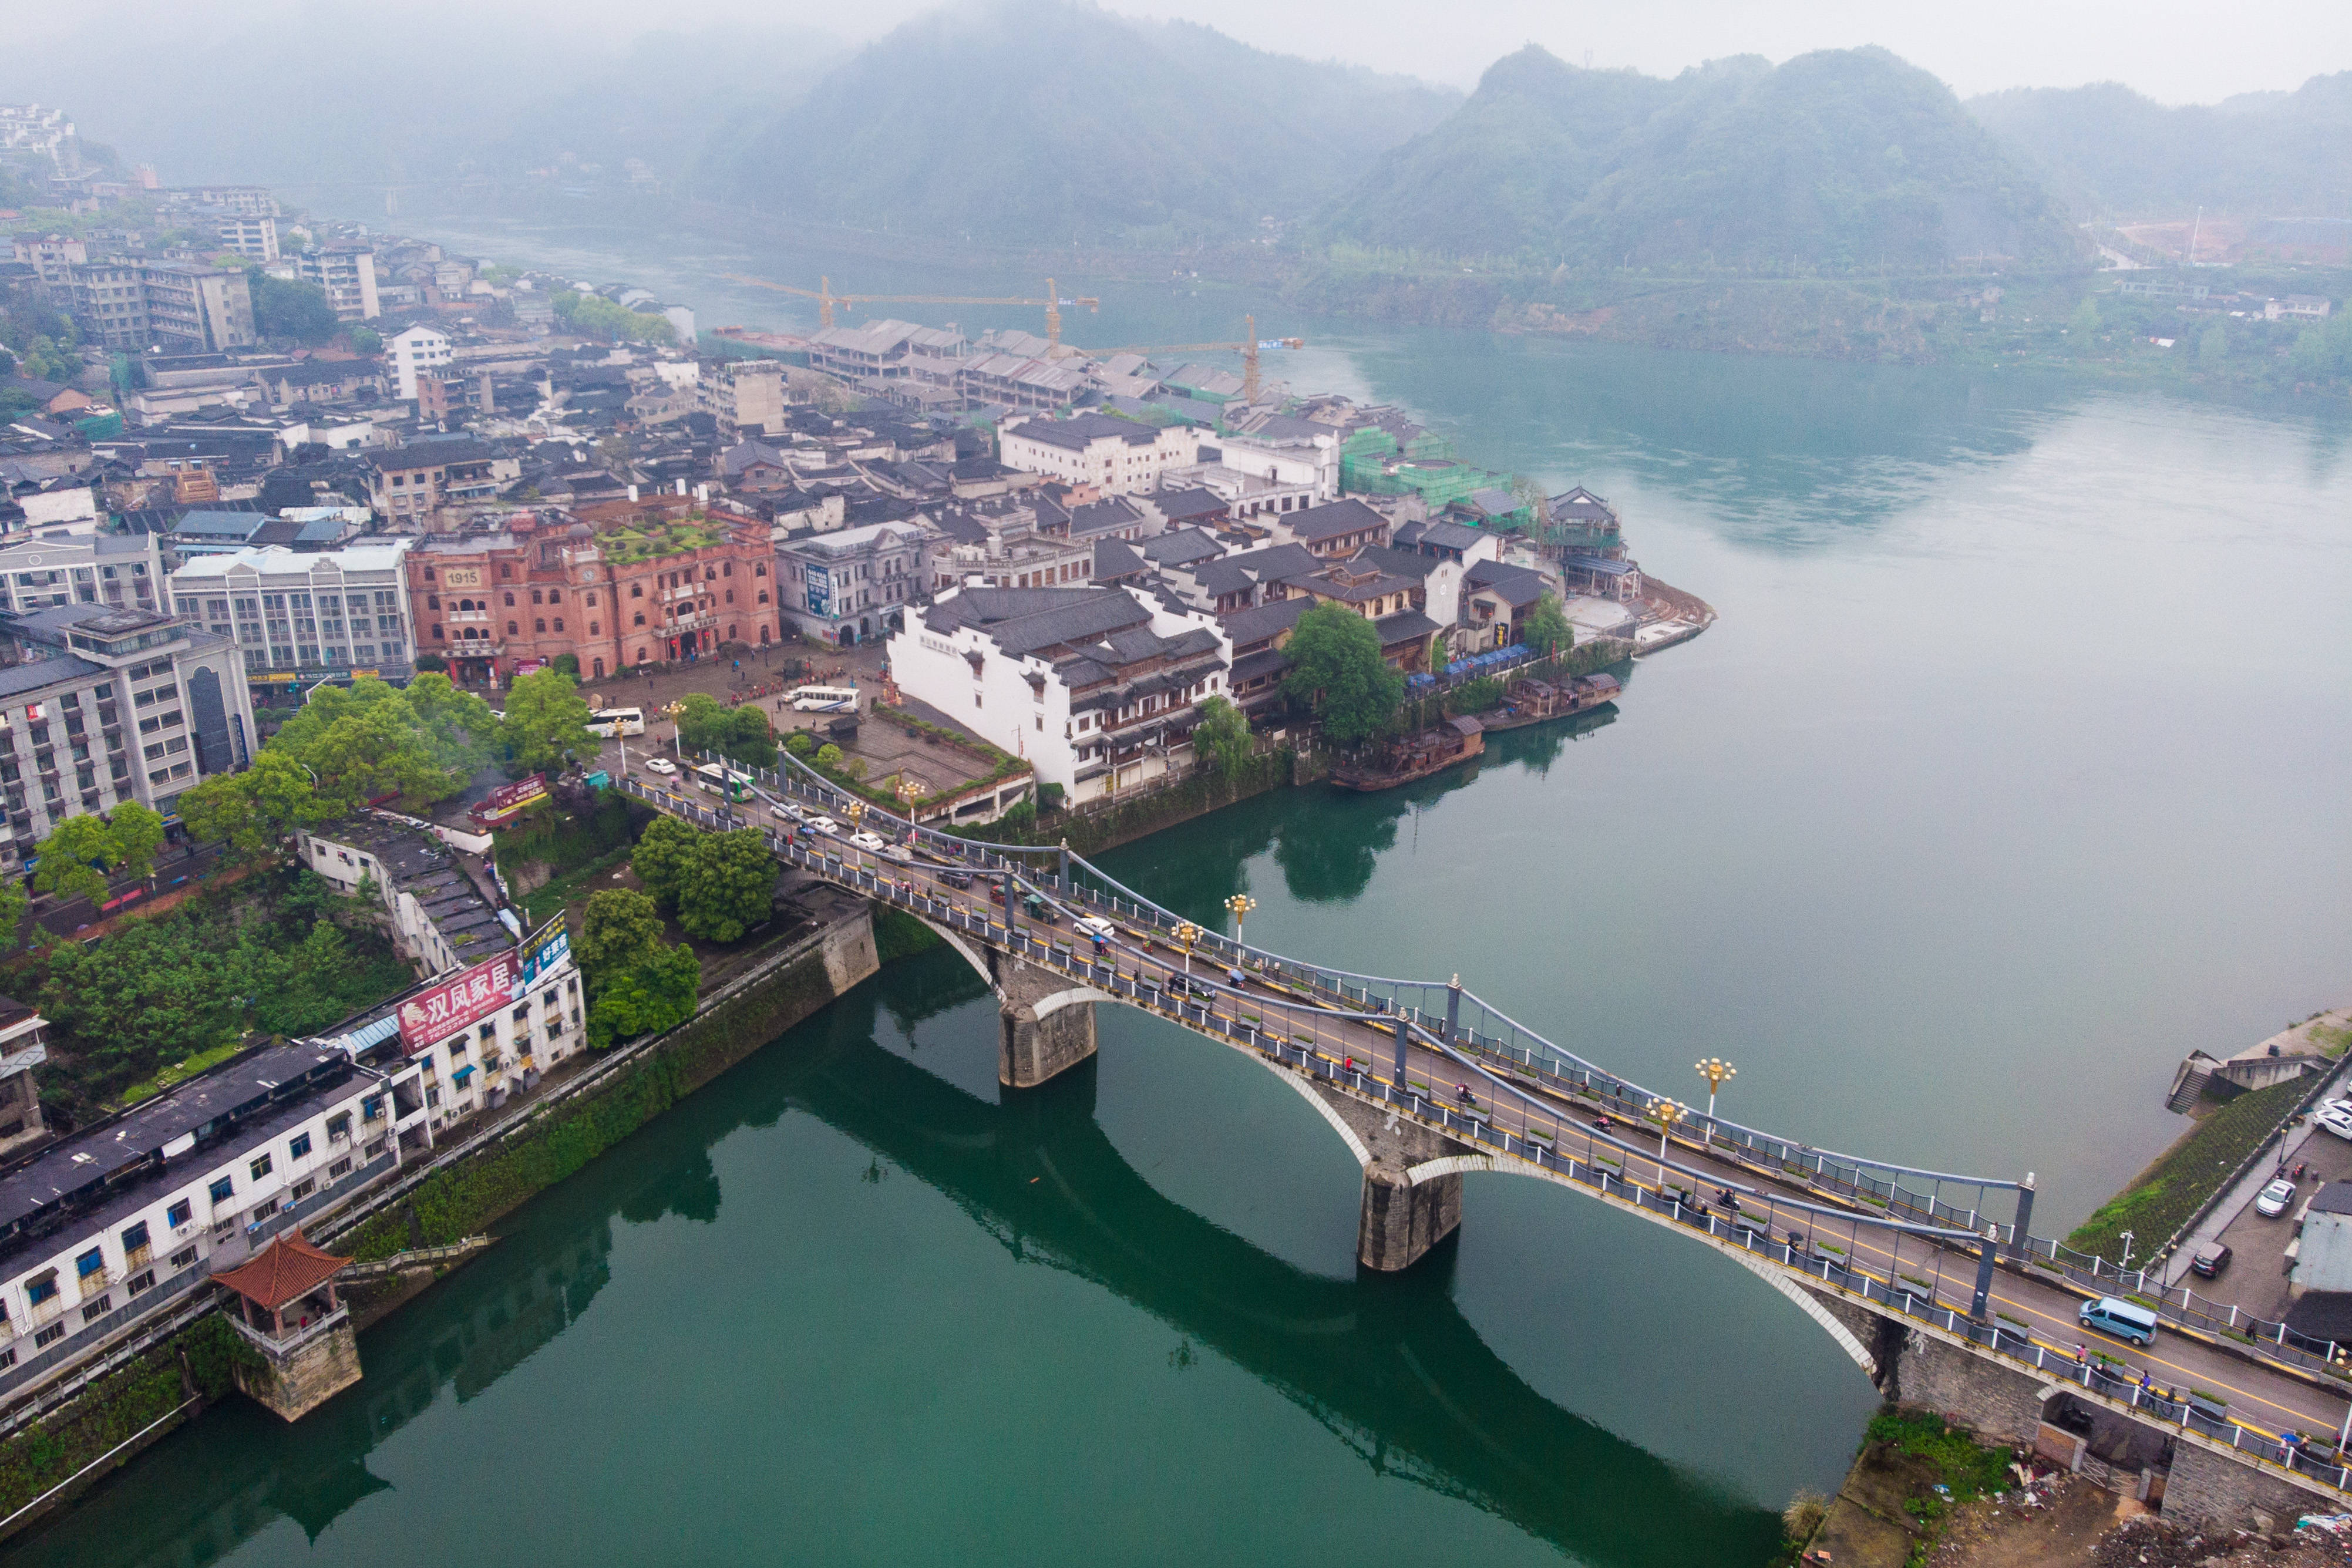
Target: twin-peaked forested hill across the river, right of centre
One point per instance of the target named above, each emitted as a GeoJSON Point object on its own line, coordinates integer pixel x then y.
{"type": "Point", "coordinates": [1833, 161]}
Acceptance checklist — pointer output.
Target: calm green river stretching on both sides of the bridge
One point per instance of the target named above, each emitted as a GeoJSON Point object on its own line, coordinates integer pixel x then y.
{"type": "Point", "coordinates": [2014, 770]}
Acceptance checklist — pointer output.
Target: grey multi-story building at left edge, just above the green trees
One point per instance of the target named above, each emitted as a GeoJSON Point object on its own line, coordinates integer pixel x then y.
{"type": "Point", "coordinates": [119, 706]}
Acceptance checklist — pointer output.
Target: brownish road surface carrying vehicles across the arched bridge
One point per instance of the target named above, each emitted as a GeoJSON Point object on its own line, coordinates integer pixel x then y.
{"type": "Point", "coordinates": [2261, 1398]}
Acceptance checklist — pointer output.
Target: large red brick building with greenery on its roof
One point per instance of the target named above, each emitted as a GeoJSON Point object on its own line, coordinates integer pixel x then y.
{"type": "Point", "coordinates": [639, 594]}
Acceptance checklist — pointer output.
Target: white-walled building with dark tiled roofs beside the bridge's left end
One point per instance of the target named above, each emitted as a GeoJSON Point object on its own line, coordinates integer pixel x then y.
{"type": "Point", "coordinates": [1095, 688]}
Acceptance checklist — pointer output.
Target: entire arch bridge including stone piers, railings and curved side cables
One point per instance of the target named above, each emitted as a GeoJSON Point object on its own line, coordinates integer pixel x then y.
{"type": "Point", "coordinates": [1902, 1266]}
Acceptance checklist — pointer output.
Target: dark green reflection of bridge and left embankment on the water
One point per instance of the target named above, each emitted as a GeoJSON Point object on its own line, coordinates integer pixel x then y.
{"type": "Point", "coordinates": [1387, 1365]}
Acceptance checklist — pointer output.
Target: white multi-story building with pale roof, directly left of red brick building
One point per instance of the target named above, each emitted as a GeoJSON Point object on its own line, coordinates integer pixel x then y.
{"type": "Point", "coordinates": [305, 617]}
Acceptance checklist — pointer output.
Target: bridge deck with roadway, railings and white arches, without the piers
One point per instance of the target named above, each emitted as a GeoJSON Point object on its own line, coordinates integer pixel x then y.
{"type": "Point", "coordinates": [1499, 1113]}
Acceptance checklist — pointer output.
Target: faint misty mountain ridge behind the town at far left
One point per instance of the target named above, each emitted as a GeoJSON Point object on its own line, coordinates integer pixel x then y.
{"type": "Point", "coordinates": [328, 100]}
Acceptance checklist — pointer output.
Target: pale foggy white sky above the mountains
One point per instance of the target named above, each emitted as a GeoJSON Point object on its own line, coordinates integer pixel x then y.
{"type": "Point", "coordinates": [2172, 51]}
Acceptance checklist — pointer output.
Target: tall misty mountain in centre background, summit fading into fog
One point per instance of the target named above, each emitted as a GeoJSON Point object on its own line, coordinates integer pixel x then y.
{"type": "Point", "coordinates": [1043, 123]}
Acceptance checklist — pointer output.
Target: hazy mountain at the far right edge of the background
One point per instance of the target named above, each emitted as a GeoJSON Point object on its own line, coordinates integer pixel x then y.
{"type": "Point", "coordinates": [2109, 152]}
